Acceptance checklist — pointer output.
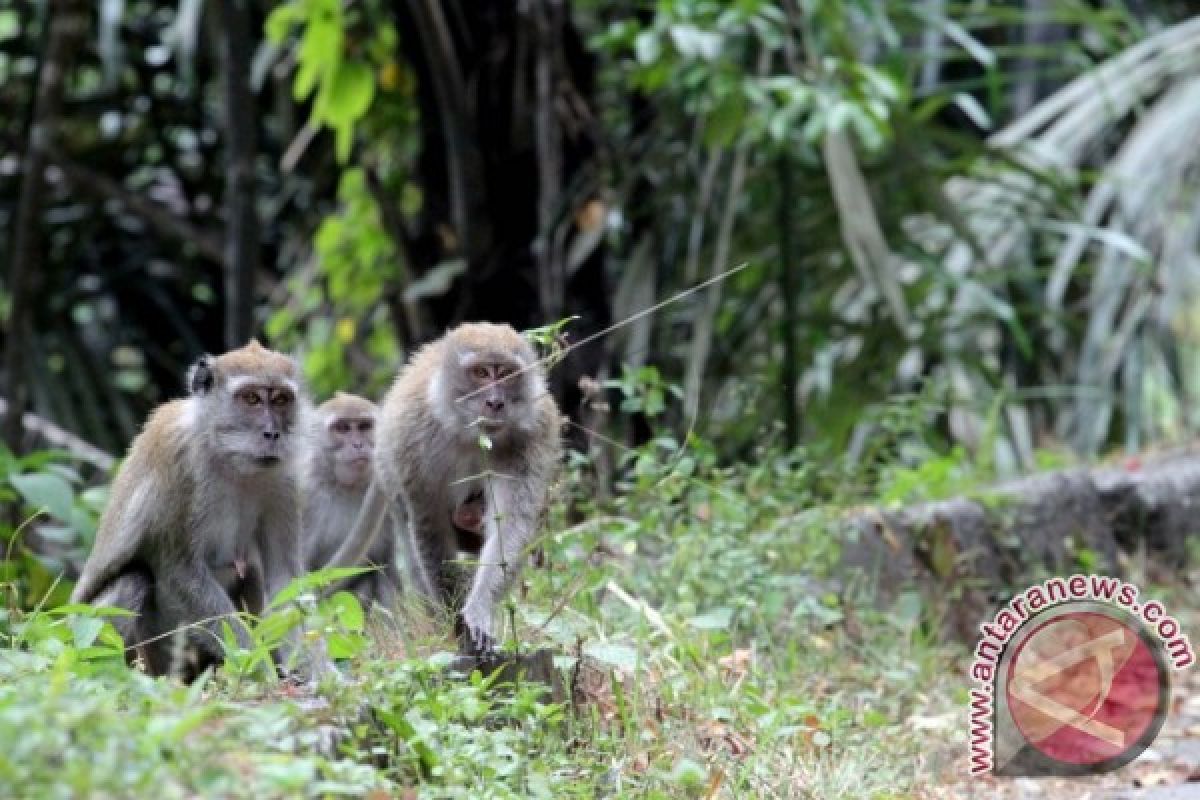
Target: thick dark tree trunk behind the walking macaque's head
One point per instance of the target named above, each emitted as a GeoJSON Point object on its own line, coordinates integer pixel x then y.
{"type": "Point", "coordinates": [508, 167]}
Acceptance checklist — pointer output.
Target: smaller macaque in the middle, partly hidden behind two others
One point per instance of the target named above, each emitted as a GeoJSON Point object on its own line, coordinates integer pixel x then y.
{"type": "Point", "coordinates": [338, 473]}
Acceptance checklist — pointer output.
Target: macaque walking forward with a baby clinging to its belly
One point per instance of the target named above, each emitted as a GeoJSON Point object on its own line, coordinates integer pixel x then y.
{"type": "Point", "coordinates": [469, 431]}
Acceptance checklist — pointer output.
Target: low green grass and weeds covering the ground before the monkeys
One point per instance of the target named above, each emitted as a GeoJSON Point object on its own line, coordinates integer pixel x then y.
{"type": "Point", "coordinates": [719, 660]}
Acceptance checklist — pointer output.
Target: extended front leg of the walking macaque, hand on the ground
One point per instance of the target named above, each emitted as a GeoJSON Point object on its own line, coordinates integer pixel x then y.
{"type": "Point", "coordinates": [509, 526]}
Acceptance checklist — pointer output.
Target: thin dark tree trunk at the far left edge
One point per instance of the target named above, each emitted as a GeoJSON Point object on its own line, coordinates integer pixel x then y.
{"type": "Point", "coordinates": [67, 22]}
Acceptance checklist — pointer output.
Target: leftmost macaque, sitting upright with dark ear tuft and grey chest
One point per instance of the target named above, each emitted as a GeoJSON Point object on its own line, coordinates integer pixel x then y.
{"type": "Point", "coordinates": [203, 519]}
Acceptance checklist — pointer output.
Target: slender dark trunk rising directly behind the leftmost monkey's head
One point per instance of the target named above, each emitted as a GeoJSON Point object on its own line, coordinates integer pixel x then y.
{"type": "Point", "coordinates": [242, 246]}
